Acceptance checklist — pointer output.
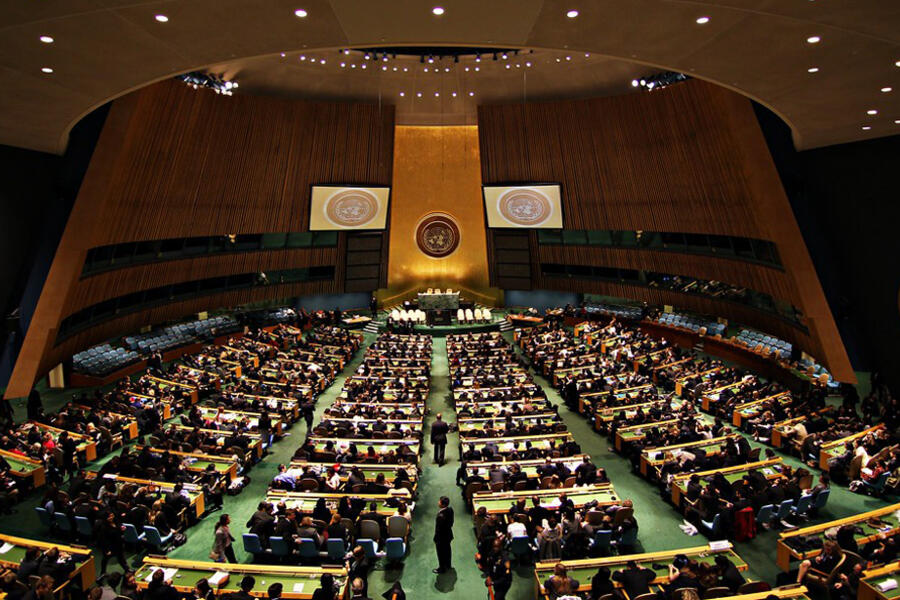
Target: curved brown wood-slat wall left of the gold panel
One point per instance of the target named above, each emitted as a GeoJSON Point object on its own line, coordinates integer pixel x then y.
{"type": "Point", "coordinates": [176, 162]}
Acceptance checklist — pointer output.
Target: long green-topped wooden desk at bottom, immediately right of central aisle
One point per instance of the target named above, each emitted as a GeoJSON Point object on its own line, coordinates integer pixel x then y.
{"type": "Point", "coordinates": [583, 570]}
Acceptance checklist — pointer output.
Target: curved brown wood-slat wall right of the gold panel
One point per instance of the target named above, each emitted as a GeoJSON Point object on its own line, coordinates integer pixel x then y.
{"type": "Point", "coordinates": [669, 160]}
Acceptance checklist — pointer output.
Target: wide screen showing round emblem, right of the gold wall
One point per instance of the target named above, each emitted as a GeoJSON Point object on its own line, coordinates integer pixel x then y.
{"type": "Point", "coordinates": [523, 206]}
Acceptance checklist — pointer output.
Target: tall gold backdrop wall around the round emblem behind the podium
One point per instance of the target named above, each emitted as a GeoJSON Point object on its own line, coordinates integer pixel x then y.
{"type": "Point", "coordinates": [437, 170]}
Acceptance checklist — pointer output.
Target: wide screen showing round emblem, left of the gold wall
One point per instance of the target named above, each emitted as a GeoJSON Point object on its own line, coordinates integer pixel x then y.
{"type": "Point", "coordinates": [335, 207]}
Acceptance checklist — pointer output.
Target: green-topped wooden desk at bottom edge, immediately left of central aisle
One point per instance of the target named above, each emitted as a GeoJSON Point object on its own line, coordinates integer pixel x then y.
{"type": "Point", "coordinates": [300, 583]}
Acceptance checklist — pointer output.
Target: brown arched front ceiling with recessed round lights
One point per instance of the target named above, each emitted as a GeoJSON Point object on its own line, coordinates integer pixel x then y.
{"type": "Point", "coordinates": [104, 48]}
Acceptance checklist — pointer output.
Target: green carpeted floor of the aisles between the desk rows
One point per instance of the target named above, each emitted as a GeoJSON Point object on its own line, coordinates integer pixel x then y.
{"type": "Point", "coordinates": [657, 519]}
